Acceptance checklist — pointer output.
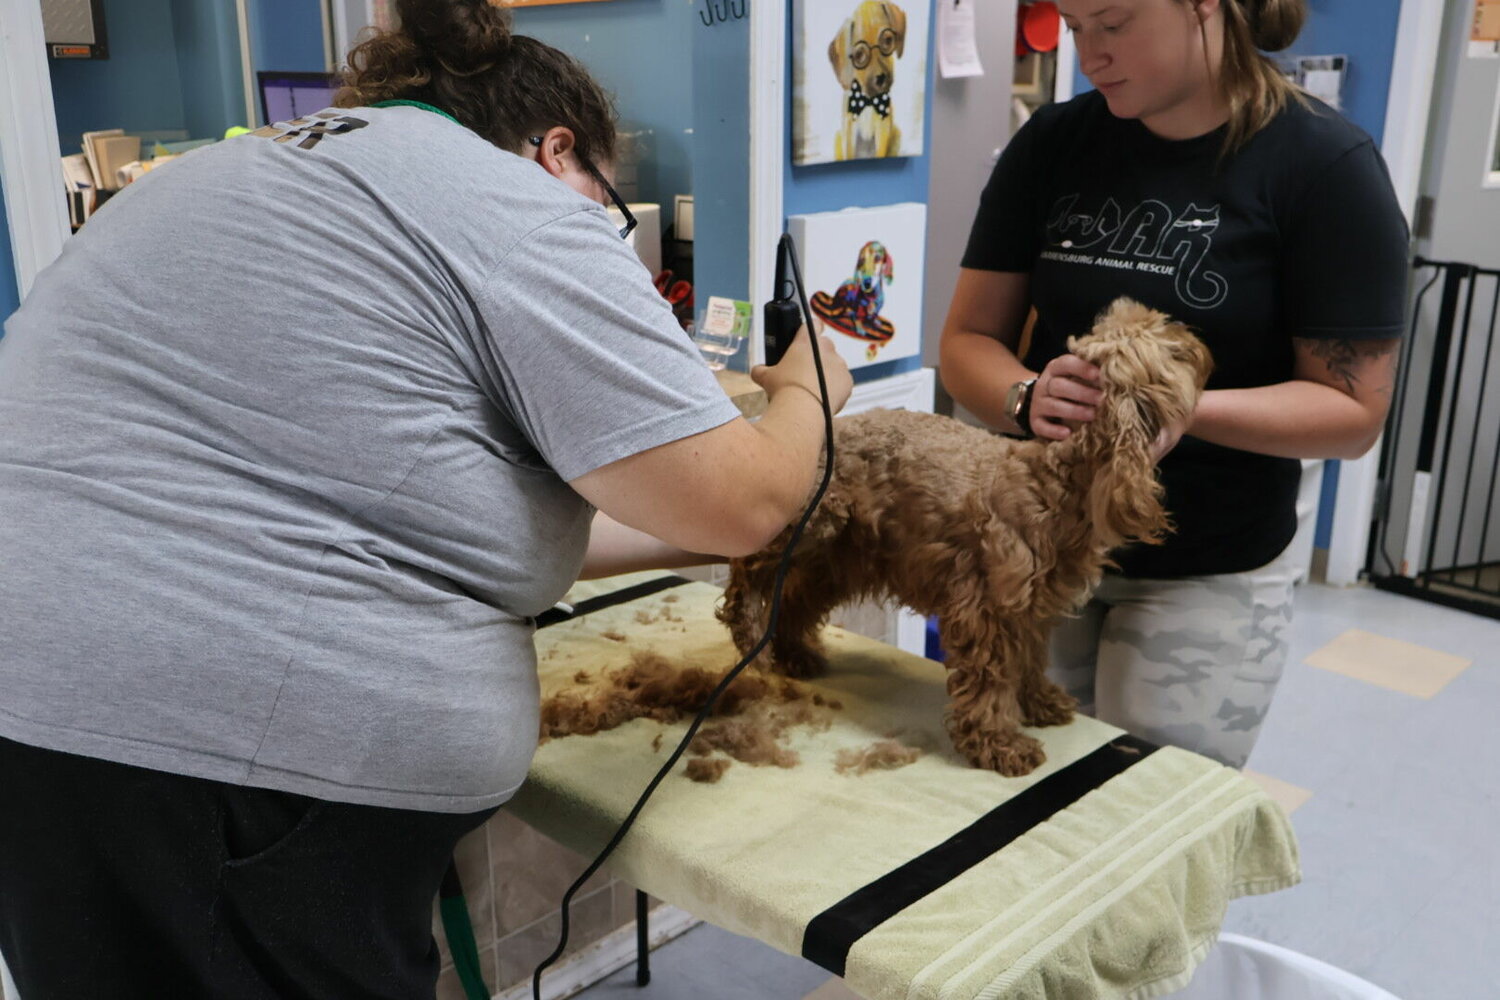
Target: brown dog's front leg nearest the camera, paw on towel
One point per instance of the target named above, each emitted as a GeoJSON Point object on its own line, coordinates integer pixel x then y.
{"type": "Point", "coordinates": [983, 701]}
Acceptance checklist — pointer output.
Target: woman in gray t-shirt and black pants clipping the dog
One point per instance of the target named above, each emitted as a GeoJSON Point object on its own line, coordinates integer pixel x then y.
{"type": "Point", "coordinates": [299, 434]}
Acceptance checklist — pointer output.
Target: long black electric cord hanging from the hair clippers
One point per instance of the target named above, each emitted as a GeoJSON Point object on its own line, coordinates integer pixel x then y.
{"type": "Point", "coordinates": [787, 251]}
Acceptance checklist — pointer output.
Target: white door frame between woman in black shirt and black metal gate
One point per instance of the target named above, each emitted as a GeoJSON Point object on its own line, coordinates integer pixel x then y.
{"type": "Point", "coordinates": [1409, 107]}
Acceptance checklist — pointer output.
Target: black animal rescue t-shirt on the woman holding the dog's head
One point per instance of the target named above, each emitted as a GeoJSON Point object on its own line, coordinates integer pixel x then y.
{"type": "Point", "coordinates": [1298, 235]}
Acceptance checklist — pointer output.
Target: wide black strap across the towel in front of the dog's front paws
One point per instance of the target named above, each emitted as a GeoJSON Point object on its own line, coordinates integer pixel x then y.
{"type": "Point", "coordinates": [830, 935]}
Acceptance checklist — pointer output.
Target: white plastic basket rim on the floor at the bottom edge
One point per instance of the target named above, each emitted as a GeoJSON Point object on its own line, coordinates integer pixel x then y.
{"type": "Point", "coordinates": [1246, 969]}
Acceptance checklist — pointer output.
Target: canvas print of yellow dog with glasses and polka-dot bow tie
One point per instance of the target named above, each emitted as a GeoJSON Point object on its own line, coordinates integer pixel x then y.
{"type": "Point", "coordinates": [859, 80]}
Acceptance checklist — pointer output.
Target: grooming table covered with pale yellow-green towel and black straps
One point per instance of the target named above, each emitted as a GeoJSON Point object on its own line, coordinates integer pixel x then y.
{"type": "Point", "coordinates": [1105, 873]}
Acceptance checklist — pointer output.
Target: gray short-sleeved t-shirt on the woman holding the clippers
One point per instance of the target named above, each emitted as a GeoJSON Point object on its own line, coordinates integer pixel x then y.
{"type": "Point", "coordinates": [286, 439]}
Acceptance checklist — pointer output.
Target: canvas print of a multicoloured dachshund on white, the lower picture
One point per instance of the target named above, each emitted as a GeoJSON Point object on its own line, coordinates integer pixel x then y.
{"type": "Point", "coordinates": [863, 269]}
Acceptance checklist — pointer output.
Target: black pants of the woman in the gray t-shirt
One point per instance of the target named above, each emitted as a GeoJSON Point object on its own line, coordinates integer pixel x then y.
{"type": "Point", "coordinates": [119, 882]}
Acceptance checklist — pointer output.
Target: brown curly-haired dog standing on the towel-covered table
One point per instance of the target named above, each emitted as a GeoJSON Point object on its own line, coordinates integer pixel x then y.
{"type": "Point", "coordinates": [995, 537]}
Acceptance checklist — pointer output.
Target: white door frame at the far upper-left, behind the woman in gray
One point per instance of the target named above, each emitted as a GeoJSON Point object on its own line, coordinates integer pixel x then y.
{"type": "Point", "coordinates": [29, 160]}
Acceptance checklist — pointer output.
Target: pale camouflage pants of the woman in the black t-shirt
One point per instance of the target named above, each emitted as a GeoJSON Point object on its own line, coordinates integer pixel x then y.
{"type": "Point", "coordinates": [1190, 662]}
